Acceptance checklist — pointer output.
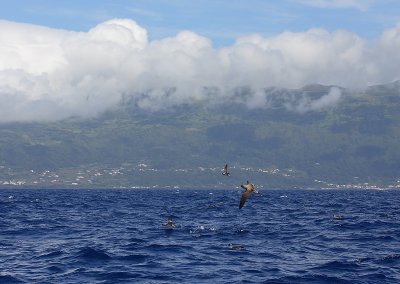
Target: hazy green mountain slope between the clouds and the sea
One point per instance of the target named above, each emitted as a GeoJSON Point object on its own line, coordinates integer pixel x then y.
{"type": "Point", "coordinates": [308, 137]}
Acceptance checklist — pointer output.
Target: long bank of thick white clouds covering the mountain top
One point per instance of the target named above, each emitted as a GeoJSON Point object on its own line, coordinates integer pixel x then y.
{"type": "Point", "coordinates": [49, 74]}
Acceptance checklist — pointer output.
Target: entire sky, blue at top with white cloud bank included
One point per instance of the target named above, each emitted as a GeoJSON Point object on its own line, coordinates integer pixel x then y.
{"type": "Point", "coordinates": [79, 58]}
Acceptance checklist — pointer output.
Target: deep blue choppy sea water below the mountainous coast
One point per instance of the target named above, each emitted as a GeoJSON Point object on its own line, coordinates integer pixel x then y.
{"type": "Point", "coordinates": [116, 236]}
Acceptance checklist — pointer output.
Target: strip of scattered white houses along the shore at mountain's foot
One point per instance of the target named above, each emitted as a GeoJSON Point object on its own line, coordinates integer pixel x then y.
{"type": "Point", "coordinates": [142, 175]}
